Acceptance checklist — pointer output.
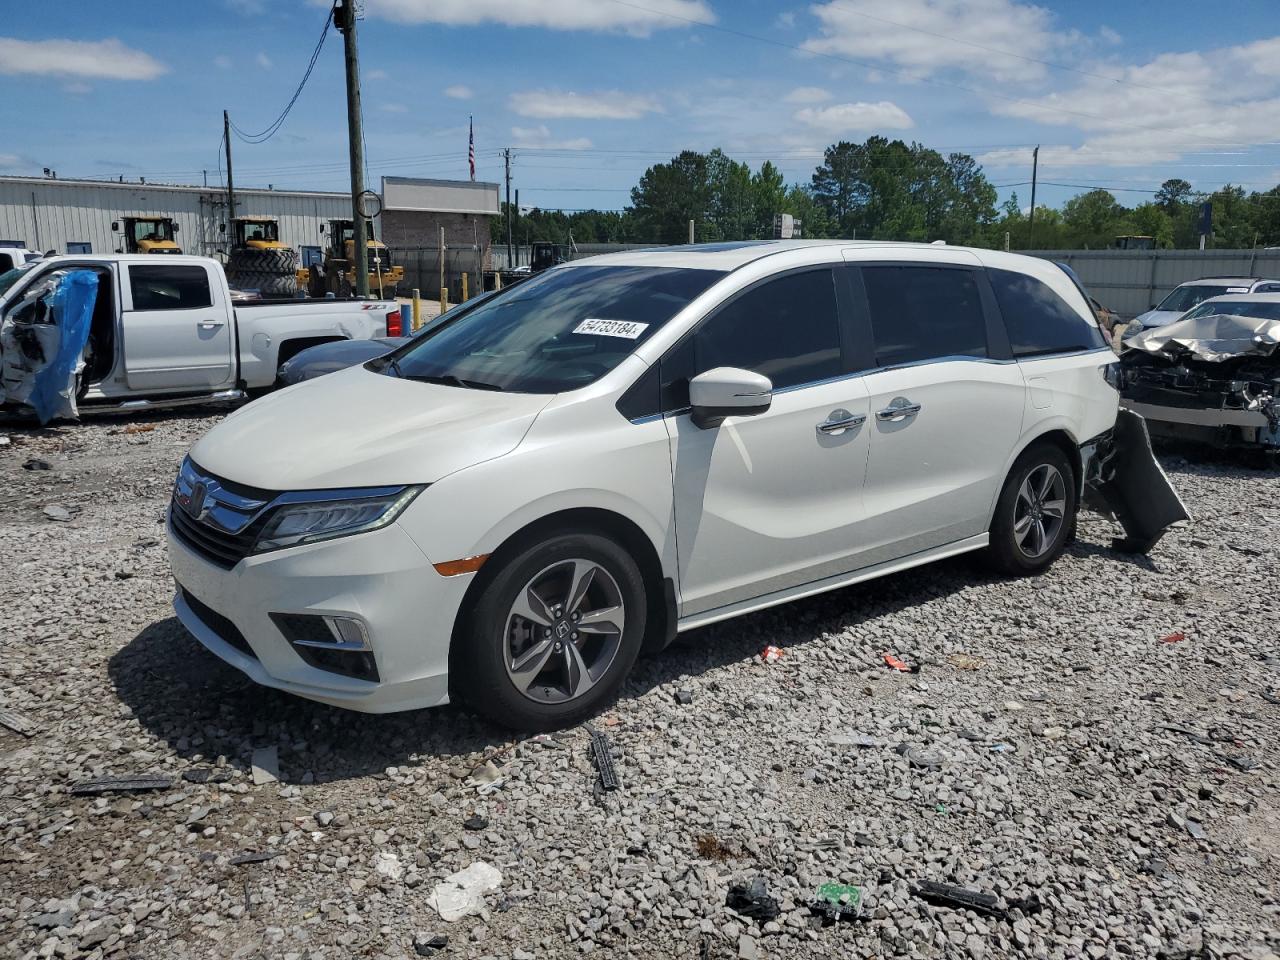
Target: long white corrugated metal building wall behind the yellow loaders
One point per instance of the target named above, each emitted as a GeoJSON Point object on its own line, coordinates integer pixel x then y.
{"type": "Point", "coordinates": [51, 214]}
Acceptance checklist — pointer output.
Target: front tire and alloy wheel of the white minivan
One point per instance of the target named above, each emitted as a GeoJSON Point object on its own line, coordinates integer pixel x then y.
{"type": "Point", "coordinates": [499, 648]}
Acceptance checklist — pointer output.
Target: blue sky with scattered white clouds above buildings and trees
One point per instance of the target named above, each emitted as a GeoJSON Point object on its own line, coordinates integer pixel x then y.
{"type": "Point", "coordinates": [591, 93]}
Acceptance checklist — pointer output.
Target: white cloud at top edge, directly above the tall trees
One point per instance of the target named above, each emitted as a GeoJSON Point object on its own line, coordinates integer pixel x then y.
{"type": "Point", "coordinates": [927, 36]}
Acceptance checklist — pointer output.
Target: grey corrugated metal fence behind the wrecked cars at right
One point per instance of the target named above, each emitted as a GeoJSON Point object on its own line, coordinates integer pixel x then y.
{"type": "Point", "coordinates": [1132, 281]}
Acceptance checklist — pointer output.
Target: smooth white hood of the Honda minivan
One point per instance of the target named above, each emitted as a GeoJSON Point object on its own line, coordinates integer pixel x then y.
{"type": "Point", "coordinates": [356, 428]}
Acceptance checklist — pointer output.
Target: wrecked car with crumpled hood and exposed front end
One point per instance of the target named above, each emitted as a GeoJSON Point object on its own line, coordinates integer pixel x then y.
{"type": "Point", "coordinates": [1213, 377]}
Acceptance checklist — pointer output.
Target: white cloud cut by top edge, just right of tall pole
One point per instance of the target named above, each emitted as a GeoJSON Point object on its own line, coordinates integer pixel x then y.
{"type": "Point", "coordinates": [639, 21]}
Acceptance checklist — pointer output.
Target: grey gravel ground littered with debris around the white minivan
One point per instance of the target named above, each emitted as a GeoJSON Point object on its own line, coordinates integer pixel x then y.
{"type": "Point", "coordinates": [1067, 761]}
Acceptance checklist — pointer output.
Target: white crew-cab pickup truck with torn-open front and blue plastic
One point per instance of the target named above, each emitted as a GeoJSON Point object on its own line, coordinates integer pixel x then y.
{"type": "Point", "coordinates": [163, 332]}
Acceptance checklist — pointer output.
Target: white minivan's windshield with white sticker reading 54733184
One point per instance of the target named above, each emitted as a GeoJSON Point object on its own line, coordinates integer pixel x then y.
{"type": "Point", "coordinates": [554, 333]}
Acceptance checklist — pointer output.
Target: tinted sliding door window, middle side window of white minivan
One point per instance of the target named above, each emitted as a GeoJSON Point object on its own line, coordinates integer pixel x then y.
{"type": "Point", "coordinates": [925, 313]}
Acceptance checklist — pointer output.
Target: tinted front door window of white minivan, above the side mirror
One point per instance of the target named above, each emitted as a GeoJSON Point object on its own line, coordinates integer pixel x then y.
{"type": "Point", "coordinates": [787, 330]}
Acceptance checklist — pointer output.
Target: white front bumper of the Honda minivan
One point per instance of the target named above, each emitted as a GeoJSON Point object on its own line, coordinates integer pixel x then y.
{"type": "Point", "coordinates": [381, 579]}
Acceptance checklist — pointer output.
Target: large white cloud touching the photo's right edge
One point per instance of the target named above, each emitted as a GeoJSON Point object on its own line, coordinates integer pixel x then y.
{"type": "Point", "coordinates": [1158, 112]}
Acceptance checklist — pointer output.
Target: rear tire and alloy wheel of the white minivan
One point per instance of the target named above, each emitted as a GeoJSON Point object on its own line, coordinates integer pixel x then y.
{"type": "Point", "coordinates": [1036, 513]}
